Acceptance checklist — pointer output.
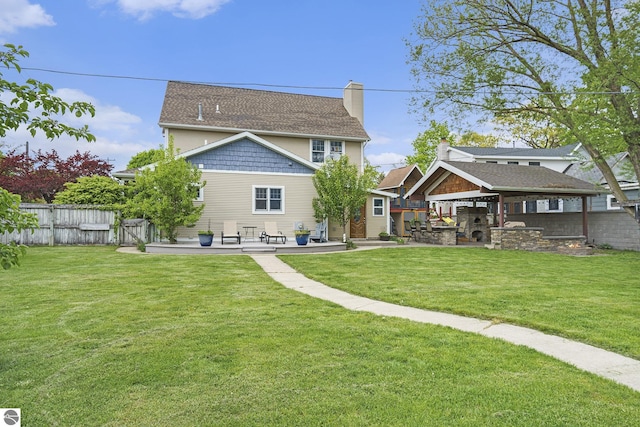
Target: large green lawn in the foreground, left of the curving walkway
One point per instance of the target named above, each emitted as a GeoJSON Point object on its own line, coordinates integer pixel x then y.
{"type": "Point", "coordinates": [95, 337]}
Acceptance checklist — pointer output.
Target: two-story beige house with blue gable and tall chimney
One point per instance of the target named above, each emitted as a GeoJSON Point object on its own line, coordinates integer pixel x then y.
{"type": "Point", "coordinates": [258, 151]}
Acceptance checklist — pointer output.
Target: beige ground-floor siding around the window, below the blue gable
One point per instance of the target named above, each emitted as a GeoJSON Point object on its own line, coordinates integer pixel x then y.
{"type": "Point", "coordinates": [229, 196]}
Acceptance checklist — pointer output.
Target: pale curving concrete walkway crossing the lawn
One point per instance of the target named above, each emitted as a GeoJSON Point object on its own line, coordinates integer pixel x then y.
{"type": "Point", "coordinates": [621, 369]}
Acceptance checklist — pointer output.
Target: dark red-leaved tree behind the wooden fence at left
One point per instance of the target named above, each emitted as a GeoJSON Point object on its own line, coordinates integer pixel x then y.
{"type": "Point", "coordinates": [40, 176]}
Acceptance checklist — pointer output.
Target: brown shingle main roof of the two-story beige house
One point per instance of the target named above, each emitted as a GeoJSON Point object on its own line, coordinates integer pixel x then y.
{"type": "Point", "coordinates": [258, 110]}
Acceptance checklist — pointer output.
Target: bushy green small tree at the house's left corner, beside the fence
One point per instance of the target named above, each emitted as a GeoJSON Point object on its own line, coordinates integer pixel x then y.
{"type": "Point", "coordinates": [165, 192]}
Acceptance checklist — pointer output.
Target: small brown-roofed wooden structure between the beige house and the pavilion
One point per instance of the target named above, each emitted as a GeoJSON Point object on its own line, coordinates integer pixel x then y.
{"type": "Point", "coordinates": [399, 181]}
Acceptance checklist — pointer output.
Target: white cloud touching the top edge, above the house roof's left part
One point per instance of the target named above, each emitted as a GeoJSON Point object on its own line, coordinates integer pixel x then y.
{"type": "Point", "coordinates": [193, 9]}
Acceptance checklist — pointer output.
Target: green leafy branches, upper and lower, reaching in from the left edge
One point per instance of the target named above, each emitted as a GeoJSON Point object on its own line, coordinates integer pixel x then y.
{"type": "Point", "coordinates": [29, 104]}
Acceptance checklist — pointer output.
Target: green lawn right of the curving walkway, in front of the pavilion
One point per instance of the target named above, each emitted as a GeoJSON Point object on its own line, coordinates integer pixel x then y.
{"type": "Point", "coordinates": [593, 299]}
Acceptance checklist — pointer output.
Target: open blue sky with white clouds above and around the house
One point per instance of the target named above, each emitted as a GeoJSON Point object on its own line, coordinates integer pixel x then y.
{"type": "Point", "coordinates": [119, 55]}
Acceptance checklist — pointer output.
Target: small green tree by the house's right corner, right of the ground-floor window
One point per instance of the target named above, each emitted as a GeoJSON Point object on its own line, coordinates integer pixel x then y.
{"type": "Point", "coordinates": [342, 191]}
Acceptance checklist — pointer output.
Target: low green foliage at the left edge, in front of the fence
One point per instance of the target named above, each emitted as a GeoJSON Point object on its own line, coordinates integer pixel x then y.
{"type": "Point", "coordinates": [12, 219]}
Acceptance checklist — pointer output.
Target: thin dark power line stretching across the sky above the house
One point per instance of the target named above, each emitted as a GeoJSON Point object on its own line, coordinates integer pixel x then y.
{"type": "Point", "coordinates": [281, 86]}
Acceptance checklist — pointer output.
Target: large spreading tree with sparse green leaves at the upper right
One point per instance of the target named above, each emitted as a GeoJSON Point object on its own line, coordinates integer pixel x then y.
{"type": "Point", "coordinates": [573, 62]}
